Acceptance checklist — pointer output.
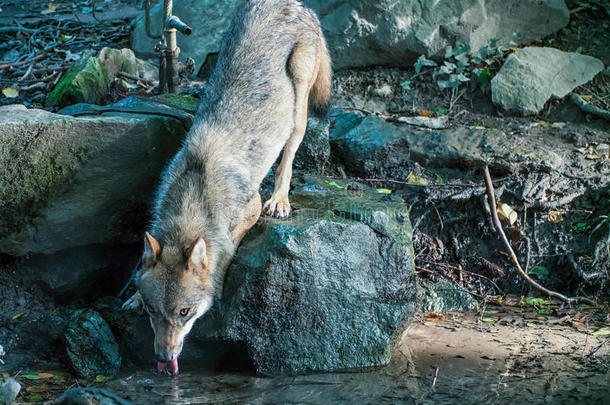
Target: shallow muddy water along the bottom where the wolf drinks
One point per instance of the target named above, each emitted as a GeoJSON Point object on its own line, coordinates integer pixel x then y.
{"type": "Point", "coordinates": [459, 361]}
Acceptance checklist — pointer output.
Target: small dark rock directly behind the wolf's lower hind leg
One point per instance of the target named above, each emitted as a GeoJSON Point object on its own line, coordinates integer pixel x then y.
{"type": "Point", "coordinates": [314, 151]}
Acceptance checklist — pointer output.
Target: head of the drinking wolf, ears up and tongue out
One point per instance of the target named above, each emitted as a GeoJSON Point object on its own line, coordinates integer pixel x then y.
{"type": "Point", "coordinates": [174, 288]}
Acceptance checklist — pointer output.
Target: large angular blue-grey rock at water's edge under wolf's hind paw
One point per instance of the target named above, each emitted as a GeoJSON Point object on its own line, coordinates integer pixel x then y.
{"type": "Point", "coordinates": [326, 289]}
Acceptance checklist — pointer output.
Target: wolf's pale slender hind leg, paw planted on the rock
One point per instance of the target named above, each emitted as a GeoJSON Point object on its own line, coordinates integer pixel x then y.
{"type": "Point", "coordinates": [303, 67]}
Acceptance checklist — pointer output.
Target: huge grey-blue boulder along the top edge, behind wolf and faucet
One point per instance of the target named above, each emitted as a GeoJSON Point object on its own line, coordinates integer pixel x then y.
{"type": "Point", "coordinates": [386, 32]}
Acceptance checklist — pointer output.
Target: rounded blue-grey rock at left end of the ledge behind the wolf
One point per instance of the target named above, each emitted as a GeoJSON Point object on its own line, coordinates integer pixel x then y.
{"type": "Point", "coordinates": [369, 146]}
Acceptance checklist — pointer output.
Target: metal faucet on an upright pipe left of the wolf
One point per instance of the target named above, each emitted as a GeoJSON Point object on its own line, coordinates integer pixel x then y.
{"type": "Point", "coordinates": [167, 46]}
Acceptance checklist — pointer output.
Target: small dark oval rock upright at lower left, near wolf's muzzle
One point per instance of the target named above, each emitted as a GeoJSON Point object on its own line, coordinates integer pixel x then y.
{"type": "Point", "coordinates": [90, 345]}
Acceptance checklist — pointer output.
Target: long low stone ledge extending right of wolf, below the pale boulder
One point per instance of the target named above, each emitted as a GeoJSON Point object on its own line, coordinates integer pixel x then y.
{"type": "Point", "coordinates": [371, 147]}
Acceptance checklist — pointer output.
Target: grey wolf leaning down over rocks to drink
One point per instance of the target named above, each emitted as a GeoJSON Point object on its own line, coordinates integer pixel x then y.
{"type": "Point", "coordinates": [273, 64]}
